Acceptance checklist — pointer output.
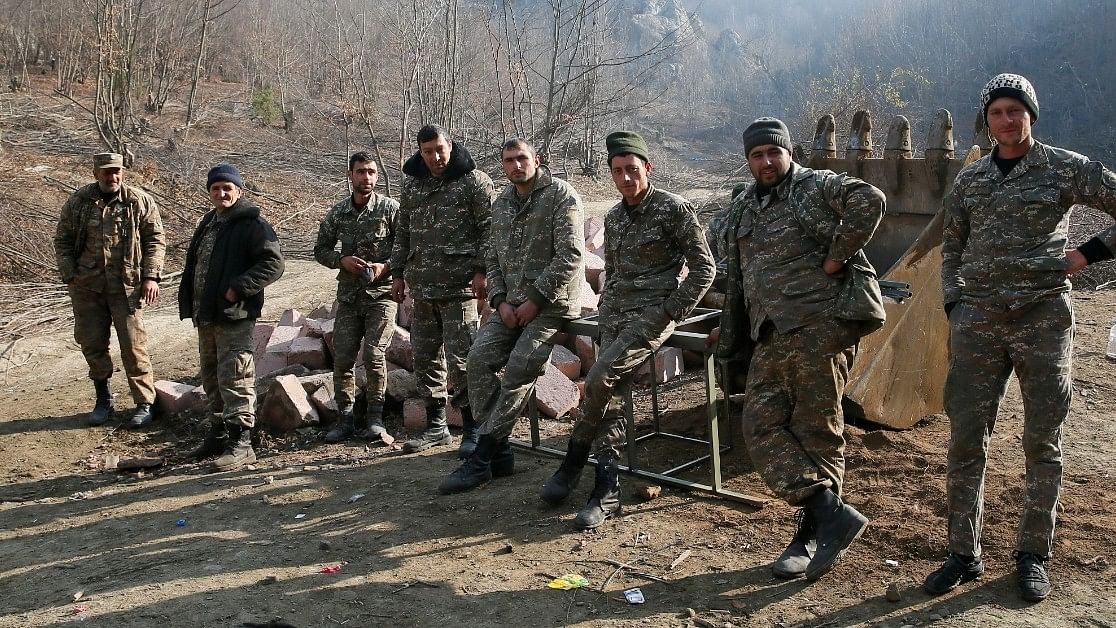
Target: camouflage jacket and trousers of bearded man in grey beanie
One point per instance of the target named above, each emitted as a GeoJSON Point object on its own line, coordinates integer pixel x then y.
{"type": "Point", "coordinates": [781, 301]}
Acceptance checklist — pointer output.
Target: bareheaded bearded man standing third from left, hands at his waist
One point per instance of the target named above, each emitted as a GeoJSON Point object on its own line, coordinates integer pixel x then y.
{"type": "Point", "coordinates": [365, 226]}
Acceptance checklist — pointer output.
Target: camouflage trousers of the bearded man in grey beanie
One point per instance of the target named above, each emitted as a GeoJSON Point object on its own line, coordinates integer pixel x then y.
{"type": "Point", "coordinates": [794, 424]}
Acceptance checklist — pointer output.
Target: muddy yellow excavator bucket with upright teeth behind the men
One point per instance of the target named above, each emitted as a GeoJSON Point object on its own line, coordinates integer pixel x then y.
{"type": "Point", "coordinates": [900, 371]}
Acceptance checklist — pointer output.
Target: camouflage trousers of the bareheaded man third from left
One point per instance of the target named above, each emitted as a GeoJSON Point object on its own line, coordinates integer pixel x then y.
{"type": "Point", "coordinates": [370, 323]}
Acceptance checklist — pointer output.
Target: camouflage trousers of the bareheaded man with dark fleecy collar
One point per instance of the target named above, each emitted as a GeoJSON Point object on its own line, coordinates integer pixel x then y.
{"type": "Point", "coordinates": [442, 331]}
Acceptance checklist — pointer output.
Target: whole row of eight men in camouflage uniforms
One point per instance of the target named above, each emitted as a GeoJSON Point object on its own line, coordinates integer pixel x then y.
{"type": "Point", "coordinates": [801, 295]}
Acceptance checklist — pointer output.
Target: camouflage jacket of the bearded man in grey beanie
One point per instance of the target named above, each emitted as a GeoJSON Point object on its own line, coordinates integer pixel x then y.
{"type": "Point", "coordinates": [781, 245]}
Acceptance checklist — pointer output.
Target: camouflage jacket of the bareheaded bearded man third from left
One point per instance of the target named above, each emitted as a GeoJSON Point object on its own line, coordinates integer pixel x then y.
{"type": "Point", "coordinates": [367, 234]}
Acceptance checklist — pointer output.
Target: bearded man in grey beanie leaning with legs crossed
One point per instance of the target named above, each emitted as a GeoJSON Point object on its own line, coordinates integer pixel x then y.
{"type": "Point", "coordinates": [800, 296]}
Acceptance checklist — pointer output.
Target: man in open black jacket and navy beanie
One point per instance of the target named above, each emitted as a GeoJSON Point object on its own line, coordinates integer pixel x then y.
{"type": "Point", "coordinates": [234, 255]}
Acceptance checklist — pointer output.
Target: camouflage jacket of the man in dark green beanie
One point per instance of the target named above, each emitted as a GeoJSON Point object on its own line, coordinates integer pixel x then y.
{"type": "Point", "coordinates": [646, 249]}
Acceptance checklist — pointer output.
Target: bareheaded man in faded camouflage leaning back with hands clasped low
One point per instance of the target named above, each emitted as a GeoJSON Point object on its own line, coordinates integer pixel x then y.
{"type": "Point", "coordinates": [534, 265]}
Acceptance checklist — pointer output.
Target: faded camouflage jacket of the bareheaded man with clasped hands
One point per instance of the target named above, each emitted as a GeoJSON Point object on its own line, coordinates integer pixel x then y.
{"type": "Point", "coordinates": [536, 247]}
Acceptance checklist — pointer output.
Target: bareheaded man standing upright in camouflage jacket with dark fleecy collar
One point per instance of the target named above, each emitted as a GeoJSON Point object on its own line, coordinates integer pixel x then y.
{"type": "Point", "coordinates": [439, 254]}
